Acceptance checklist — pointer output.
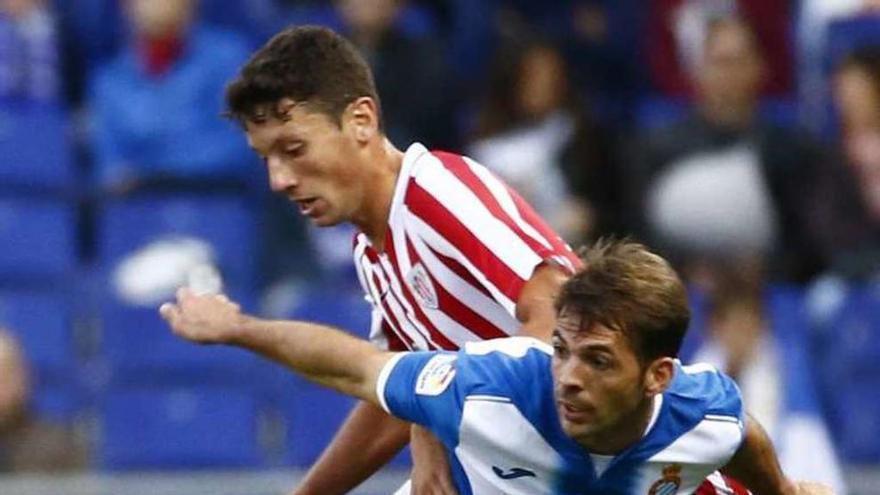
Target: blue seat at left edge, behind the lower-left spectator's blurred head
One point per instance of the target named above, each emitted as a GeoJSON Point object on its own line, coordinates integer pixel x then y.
{"type": "Point", "coordinates": [41, 321]}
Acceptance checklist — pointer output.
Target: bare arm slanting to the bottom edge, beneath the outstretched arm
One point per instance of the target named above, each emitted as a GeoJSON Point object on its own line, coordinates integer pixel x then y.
{"type": "Point", "coordinates": [366, 442]}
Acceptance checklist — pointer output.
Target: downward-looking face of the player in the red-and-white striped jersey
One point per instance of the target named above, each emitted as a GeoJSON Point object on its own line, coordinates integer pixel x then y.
{"type": "Point", "coordinates": [311, 161]}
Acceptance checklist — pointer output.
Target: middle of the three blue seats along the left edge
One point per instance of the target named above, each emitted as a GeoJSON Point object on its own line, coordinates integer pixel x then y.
{"type": "Point", "coordinates": [39, 240]}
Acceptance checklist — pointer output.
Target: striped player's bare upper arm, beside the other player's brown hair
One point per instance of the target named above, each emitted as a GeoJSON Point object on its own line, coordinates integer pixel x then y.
{"type": "Point", "coordinates": [534, 308]}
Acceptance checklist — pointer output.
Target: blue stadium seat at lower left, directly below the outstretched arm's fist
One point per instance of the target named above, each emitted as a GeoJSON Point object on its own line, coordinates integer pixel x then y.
{"type": "Point", "coordinates": [179, 428]}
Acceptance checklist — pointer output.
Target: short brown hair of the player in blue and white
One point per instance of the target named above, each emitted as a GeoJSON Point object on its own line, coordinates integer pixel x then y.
{"type": "Point", "coordinates": [627, 288]}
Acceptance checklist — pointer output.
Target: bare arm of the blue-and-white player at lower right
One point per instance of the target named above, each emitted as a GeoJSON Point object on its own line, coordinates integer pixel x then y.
{"type": "Point", "coordinates": [755, 464]}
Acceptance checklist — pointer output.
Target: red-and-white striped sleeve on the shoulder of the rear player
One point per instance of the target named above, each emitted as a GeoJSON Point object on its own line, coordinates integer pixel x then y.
{"type": "Point", "coordinates": [464, 212]}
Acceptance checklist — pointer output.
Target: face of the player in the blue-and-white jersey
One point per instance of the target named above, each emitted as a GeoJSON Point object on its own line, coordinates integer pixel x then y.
{"type": "Point", "coordinates": [598, 384]}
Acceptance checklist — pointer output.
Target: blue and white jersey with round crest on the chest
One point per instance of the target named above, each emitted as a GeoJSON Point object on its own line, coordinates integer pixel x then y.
{"type": "Point", "coordinates": [492, 406]}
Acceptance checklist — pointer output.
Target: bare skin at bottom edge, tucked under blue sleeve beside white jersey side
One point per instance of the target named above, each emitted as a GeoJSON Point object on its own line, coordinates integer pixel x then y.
{"type": "Point", "coordinates": [430, 474]}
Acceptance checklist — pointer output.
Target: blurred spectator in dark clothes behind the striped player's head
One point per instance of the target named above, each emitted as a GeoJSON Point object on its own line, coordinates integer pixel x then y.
{"type": "Point", "coordinates": [412, 73]}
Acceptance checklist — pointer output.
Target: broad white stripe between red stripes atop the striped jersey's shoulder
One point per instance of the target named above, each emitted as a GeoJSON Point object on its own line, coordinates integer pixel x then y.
{"type": "Point", "coordinates": [464, 204]}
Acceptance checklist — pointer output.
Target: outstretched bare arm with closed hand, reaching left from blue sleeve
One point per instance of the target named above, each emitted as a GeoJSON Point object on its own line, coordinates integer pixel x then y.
{"type": "Point", "coordinates": [321, 354]}
